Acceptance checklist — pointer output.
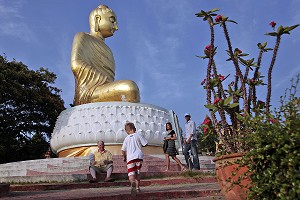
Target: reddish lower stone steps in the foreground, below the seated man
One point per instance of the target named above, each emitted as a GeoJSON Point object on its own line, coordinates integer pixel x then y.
{"type": "Point", "coordinates": [205, 188]}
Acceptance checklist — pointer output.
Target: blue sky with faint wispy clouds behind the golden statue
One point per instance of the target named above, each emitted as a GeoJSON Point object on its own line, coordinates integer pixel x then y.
{"type": "Point", "coordinates": [156, 44]}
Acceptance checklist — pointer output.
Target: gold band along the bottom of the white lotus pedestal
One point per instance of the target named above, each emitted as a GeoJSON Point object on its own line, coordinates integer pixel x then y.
{"type": "Point", "coordinates": [114, 149]}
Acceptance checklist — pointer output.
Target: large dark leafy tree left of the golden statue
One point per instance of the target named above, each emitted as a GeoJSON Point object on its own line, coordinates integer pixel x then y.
{"type": "Point", "coordinates": [29, 107]}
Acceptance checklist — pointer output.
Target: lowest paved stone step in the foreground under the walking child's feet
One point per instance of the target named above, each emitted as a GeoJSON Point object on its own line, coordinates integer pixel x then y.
{"type": "Point", "coordinates": [194, 190]}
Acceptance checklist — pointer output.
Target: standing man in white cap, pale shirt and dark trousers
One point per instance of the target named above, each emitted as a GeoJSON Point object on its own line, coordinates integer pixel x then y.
{"type": "Point", "coordinates": [190, 143]}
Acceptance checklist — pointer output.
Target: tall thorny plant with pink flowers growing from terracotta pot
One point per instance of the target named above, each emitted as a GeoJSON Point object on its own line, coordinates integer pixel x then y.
{"type": "Point", "coordinates": [226, 103]}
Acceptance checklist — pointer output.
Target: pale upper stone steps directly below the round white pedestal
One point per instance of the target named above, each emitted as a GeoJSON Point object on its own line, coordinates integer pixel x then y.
{"type": "Point", "coordinates": [75, 169]}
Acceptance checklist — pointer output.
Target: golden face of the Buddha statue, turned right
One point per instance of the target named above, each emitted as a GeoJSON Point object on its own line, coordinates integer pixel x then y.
{"type": "Point", "coordinates": [108, 24]}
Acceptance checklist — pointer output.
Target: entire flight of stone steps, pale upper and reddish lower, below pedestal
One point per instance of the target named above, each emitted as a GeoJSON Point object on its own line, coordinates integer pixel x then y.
{"type": "Point", "coordinates": [67, 178]}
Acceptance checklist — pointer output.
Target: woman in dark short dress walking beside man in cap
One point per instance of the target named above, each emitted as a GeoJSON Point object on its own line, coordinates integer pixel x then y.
{"type": "Point", "coordinates": [171, 148]}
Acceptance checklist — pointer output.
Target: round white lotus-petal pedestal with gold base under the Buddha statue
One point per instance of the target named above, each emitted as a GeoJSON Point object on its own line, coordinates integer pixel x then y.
{"type": "Point", "coordinates": [78, 129]}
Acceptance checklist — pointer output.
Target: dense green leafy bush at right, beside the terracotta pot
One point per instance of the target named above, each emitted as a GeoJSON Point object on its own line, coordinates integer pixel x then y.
{"type": "Point", "coordinates": [274, 158]}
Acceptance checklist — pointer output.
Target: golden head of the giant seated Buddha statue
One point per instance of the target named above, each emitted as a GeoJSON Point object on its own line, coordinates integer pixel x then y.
{"type": "Point", "coordinates": [104, 21]}
